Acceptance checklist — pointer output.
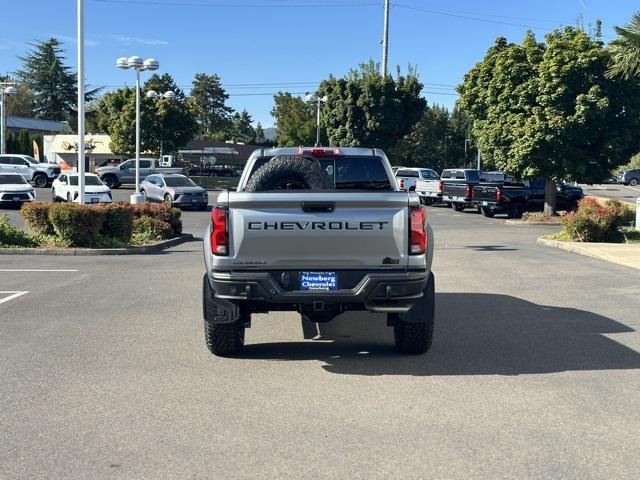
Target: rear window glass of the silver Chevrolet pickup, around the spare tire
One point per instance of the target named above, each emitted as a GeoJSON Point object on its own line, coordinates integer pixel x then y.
{"type": "Point", "coordinates": [349, 173]}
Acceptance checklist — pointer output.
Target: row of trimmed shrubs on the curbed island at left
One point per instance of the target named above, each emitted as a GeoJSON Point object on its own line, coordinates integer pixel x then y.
{"type": "Point", "coordinates": [112, 224]}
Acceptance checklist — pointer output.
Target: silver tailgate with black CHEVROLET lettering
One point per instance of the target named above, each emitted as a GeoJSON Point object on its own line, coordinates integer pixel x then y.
{"type": "Point", "coordinates": [318, 230]}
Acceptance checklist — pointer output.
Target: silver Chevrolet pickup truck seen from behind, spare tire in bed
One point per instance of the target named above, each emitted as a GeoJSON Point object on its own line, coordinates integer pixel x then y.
{"type": "Point", "coordinates": [320, 231]}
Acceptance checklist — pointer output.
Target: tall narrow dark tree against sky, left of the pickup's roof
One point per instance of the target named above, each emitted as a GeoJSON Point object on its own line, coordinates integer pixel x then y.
{"type": "Point", "coordinates": [208, 104]}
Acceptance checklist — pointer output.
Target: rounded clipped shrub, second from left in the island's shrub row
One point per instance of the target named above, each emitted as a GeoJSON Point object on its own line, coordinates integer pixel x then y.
{"type": "Point", "coordinates": [77, 225]}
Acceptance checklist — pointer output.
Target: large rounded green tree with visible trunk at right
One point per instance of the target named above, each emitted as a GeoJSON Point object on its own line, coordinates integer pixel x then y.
{"type": "Point", "coordinates": [548, 110]}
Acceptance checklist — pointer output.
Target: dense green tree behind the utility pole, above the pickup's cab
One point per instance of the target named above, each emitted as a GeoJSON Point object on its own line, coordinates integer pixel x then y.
{"type": "Point", "coordinates": [365, 108]}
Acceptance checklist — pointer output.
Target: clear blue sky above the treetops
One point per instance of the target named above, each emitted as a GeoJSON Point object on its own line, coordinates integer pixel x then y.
{"type": "Point", "coordinates": [291, 44]}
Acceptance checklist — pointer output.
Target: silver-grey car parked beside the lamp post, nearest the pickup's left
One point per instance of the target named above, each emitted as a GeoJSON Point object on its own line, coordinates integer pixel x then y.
{"type": "Point", "coordinates": [175, 189]}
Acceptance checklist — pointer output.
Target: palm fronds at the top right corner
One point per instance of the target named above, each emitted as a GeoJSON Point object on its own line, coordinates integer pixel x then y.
{"type": "Point", "coordinates": [625, 50]}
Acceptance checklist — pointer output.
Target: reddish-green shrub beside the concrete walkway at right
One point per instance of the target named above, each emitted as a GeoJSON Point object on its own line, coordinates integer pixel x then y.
{"type": "Point", "coordinates": [595, 221]}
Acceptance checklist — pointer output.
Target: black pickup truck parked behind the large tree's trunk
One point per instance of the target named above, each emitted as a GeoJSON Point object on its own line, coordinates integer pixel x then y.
{"type": "Point", "coordinates": [516, 198]}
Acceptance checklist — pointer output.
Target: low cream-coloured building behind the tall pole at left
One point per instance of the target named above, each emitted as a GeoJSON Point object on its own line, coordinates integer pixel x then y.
{"type": "Point", "coordinates": [63, 150]}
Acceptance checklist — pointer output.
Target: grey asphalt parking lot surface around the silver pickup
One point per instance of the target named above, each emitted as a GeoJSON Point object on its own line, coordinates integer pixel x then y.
{"type": "Point", "coordinates": [533, 373]}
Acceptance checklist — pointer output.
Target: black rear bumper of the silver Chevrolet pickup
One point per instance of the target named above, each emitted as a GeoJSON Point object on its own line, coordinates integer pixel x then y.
{"type": "Point", "coordinates": [389, 292]}
